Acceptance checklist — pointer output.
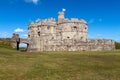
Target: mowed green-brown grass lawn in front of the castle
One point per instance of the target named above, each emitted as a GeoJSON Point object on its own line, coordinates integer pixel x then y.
{"type": "Point", "coordinates": [84, 65]}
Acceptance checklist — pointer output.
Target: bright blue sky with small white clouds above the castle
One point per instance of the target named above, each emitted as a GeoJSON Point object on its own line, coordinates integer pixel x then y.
{"type": "Point", "coordinates": [103, 16]}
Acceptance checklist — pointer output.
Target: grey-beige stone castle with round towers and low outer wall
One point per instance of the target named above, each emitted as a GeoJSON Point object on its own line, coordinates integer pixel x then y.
{"type": "Point", "coordinates": [63, 35]}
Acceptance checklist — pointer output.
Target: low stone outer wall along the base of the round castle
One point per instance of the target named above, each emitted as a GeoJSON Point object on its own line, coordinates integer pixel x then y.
{"type": "Point", "coordinates": [72, 45]}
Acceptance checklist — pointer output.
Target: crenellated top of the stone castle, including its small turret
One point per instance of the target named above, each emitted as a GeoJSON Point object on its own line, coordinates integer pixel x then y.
{"type": "Point", "coordinates": [53, 22]}
